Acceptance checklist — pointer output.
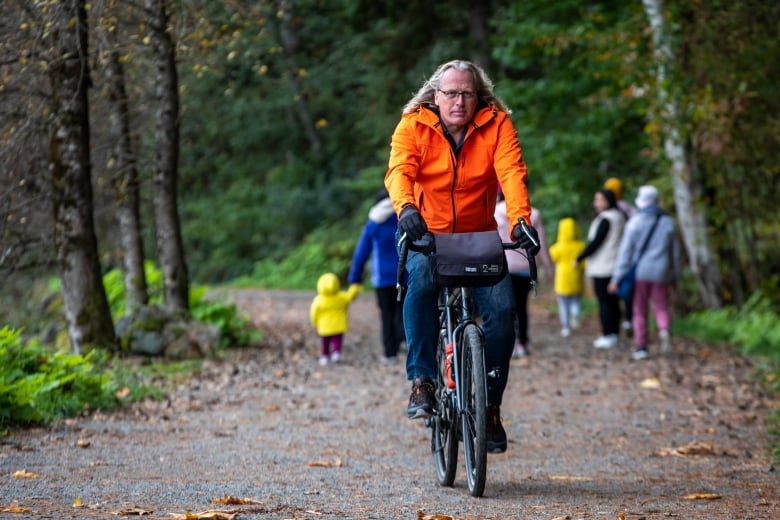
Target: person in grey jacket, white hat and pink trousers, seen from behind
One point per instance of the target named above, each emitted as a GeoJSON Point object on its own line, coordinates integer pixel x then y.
{"type": "Point", "coordinates": [657, 271]}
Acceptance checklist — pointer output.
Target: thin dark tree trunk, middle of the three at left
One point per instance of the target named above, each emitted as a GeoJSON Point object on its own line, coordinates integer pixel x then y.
{"type": "Point", "coordinates": [125, 181]}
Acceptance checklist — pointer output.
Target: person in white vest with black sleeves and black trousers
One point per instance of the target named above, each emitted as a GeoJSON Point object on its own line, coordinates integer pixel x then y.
{"type": "Point", "coordinates": [604, 237]}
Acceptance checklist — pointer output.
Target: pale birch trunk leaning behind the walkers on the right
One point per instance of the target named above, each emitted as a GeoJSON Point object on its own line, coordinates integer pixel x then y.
{"type": "Point", "coordinates": [687, 191]}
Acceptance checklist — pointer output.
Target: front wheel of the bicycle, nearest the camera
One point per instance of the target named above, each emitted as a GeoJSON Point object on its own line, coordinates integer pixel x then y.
{"type": "Point", "coordinates": [473, 386]}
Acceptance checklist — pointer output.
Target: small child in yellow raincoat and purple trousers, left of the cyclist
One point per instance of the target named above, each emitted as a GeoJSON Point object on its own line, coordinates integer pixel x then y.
{"type": "Point", "coordinates": [328, 314]}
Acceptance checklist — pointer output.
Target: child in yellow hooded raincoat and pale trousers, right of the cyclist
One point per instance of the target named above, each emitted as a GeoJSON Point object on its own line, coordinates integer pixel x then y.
{"type": "Point", "coordinates": [569, 275]}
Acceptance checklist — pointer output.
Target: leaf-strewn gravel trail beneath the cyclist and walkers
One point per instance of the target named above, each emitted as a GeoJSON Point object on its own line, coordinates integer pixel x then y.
{"type": "Point", "coordinates": [593, 435]}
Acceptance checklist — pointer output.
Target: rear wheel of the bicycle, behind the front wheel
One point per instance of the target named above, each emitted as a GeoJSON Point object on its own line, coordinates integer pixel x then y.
{"type": "Point", "coordinates": [444, 430]}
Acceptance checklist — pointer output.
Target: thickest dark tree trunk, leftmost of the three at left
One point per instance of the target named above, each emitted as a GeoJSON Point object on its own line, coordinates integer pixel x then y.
{"type": "Point", "coordinates": [86, 305]}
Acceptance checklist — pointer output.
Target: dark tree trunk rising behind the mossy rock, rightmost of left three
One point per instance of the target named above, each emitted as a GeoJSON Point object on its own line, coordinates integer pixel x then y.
{"type": "Point", "coordinates": [169, 239]}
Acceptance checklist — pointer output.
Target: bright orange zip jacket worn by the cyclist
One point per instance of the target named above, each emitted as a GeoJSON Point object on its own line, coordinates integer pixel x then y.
{"type": "Point", "coordinates": [457, 196]}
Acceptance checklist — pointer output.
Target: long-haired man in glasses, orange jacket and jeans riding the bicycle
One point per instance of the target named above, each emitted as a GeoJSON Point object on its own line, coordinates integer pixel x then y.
{"type": "Point", "coordinates": [453, 145]}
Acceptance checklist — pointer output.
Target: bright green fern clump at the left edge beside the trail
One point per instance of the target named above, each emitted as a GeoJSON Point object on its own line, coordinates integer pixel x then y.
{"type": "Point", "coordinates": [37, 385]}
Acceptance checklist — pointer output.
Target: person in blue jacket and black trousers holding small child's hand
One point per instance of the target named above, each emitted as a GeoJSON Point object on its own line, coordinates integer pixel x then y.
{"type": "Point", "coordinates": [377, 242]}
